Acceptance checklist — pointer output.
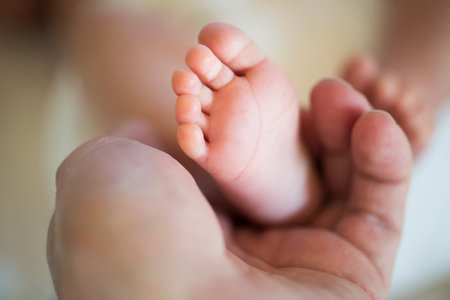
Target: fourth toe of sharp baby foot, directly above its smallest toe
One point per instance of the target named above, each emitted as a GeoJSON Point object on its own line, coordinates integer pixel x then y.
{"type": "Point", "coordinates": [188, 110]}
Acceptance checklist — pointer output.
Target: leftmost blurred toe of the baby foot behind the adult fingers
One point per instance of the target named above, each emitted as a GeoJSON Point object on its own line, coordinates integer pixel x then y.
{"type": "Point", "coordinates": [360, 72]}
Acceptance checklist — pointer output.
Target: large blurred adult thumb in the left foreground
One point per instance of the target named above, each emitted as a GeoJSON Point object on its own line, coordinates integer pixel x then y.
{"type": "Point", "coordinates": [128, 220]}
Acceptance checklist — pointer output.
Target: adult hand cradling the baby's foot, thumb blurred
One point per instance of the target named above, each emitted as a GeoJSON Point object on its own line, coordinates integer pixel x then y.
{"type": "Point", "coordinates": [130, 222]}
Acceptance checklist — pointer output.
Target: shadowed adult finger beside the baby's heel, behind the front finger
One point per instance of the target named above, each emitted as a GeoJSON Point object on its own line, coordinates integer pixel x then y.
{"type": "Point", "coordinates": [335, 107]}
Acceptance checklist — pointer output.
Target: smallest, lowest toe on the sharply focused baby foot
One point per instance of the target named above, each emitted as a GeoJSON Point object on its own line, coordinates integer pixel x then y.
{"type": "Point", "coordinates": [192, 142]}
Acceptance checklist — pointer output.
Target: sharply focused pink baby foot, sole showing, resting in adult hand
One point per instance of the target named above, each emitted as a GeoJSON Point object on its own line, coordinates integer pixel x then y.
{"type": "Point", "coordinates": [239, 119]}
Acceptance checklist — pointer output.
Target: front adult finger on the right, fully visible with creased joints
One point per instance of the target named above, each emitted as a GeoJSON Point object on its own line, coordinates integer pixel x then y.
{"type": "Point", "coordinates": [373, 218]}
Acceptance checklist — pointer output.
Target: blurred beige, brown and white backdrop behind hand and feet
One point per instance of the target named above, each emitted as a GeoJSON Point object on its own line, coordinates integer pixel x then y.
{"type": "Point", "coordinates": [64, 66]}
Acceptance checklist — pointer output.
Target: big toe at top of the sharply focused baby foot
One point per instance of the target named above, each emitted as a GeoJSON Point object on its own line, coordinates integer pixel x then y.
{"type": "Point", "coordinates": [232, 46]}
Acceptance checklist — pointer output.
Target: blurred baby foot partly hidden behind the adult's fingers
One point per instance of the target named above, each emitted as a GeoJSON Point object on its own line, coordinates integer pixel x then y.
{"type": "Point", "coordinates": [386, 91]}
